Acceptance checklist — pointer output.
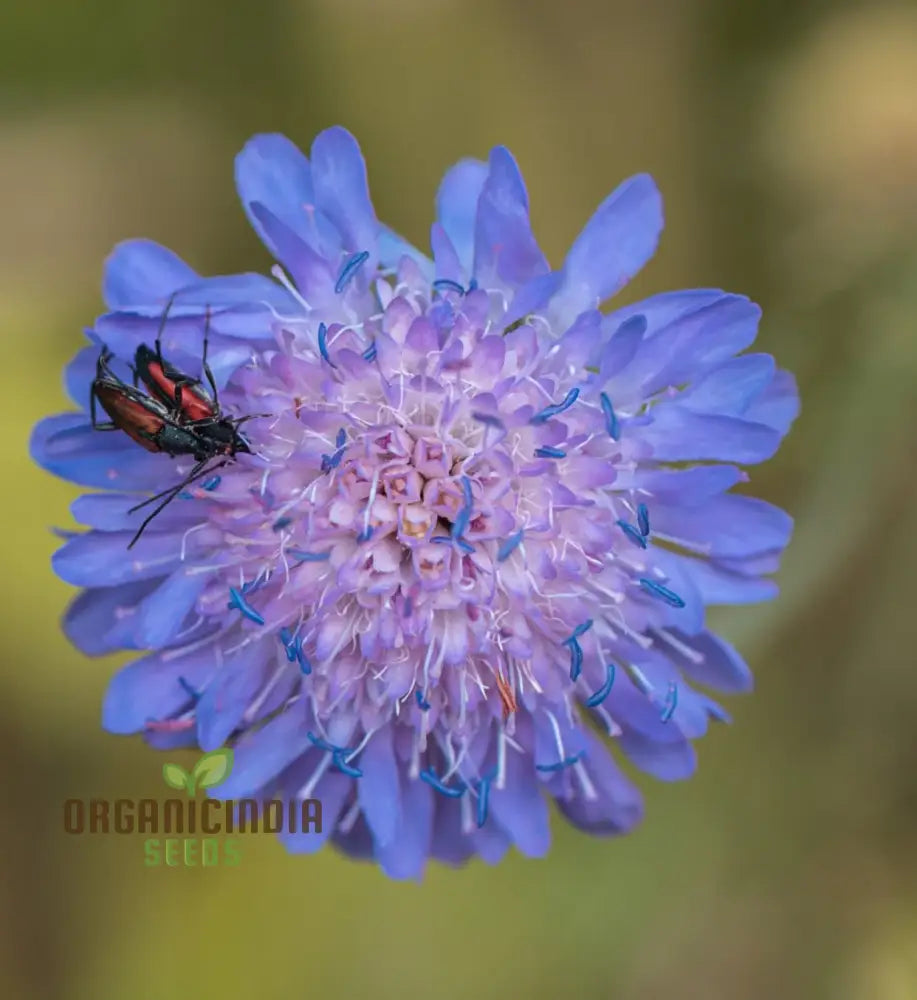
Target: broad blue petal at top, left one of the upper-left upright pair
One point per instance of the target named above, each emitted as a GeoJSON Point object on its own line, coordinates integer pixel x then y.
{"type": "Point", "coordinates": [273, 171]}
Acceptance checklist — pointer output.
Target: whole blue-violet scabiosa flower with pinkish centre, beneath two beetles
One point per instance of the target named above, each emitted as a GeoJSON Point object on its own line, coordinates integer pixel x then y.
{"type": "Point", "coordinates": [473, 543]}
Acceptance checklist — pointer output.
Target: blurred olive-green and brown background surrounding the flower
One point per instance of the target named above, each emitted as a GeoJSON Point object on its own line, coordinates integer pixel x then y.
{"type": "Point", "coordinates": [784, 137]}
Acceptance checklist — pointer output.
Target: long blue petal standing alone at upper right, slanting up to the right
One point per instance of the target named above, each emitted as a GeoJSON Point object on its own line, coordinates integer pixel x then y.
{"type": "Point", "coordinates": [614, 245]}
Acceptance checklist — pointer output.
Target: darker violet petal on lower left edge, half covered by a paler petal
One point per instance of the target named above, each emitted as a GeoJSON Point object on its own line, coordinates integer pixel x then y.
{"type": "Point", "coordinates": [101, 620]}
